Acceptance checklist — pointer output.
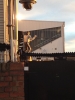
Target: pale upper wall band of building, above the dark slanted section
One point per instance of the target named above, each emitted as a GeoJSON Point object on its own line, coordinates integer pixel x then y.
{"type": "Point", "coordinates": [27, 25]}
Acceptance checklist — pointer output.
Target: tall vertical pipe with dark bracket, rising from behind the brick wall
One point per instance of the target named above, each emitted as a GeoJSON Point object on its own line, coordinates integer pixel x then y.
{"type": "Point", "coordinates": [10, 27]}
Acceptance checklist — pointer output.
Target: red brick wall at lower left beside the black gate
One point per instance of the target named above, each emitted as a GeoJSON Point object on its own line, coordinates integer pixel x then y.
{"type": "Point", "coordinates": [12, 81]}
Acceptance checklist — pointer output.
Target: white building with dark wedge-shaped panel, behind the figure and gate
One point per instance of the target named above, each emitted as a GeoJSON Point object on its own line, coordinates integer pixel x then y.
{"type": "Point", "coordinates": [50, 35]}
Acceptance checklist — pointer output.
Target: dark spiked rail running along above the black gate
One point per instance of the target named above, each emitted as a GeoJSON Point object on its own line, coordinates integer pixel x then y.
{"type": "Point", "coordinates": [51, 56]}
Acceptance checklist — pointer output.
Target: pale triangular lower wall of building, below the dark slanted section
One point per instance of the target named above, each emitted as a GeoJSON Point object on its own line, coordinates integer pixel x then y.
{"type": "Point", "coordinates": [52, 47]}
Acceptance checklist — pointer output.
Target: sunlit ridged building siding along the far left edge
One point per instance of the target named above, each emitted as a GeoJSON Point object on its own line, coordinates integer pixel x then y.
{"type": "Point", "coordinates": [4, 37]}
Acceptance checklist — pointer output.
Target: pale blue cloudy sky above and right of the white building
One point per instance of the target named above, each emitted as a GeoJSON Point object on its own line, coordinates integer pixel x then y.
{"type": "Point", "coordinates": [54, 10]}
